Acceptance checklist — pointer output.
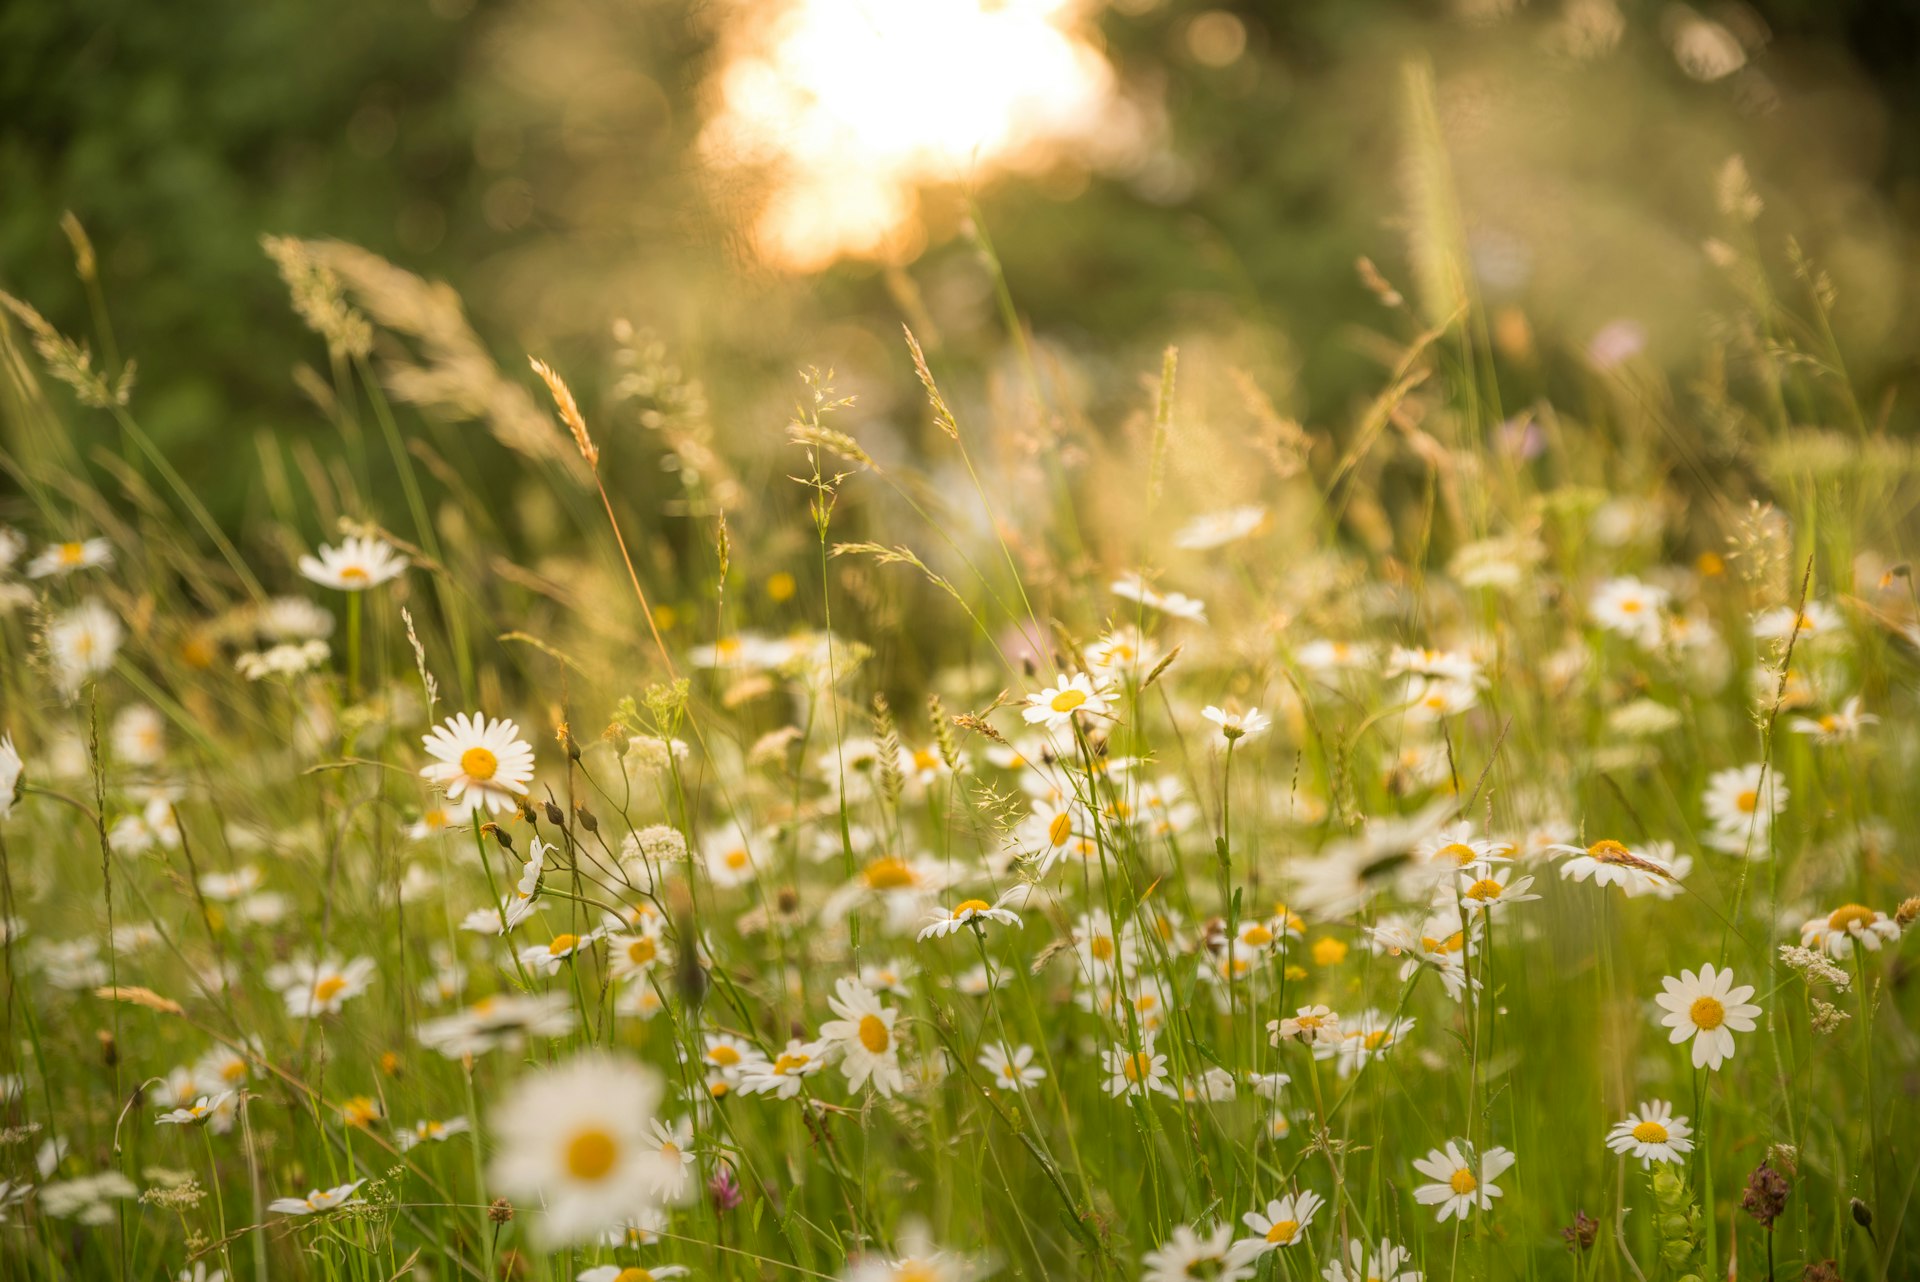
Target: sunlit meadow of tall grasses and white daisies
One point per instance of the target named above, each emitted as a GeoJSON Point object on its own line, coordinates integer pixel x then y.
{"type": "Point", "coordinates": [1470, 840]}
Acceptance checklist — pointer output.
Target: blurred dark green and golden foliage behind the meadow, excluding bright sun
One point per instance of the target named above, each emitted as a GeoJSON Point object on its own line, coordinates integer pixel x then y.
{"type": "Point", "coordinates": [544, 158]}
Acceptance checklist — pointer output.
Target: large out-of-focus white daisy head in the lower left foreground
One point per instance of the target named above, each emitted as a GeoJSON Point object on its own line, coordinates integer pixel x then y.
{"type": "Point", "coordinates": [575, 1139]}
